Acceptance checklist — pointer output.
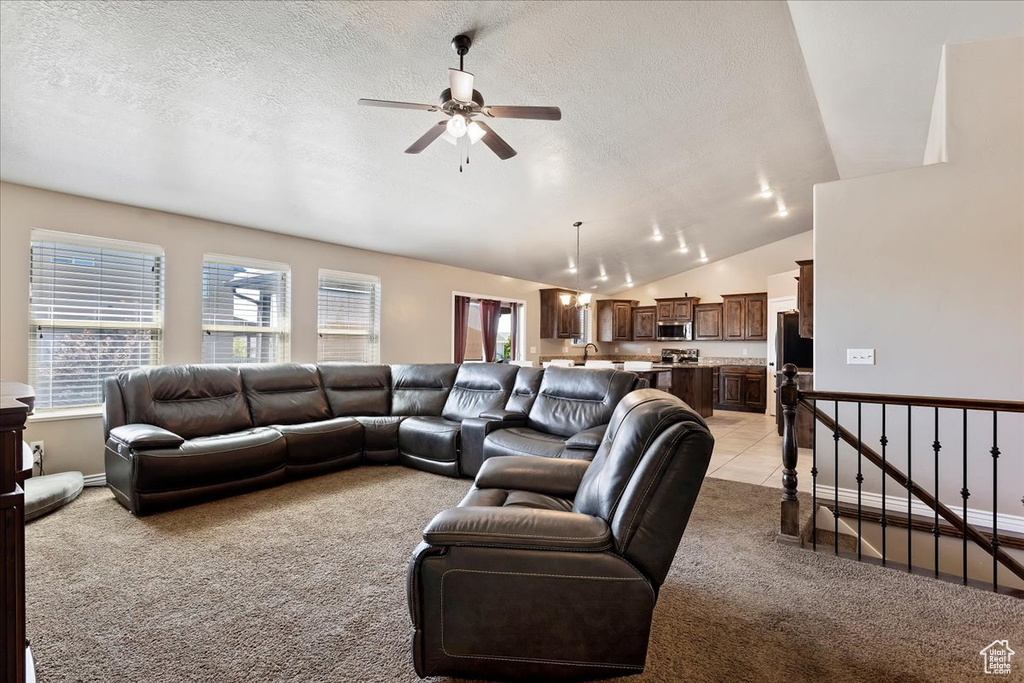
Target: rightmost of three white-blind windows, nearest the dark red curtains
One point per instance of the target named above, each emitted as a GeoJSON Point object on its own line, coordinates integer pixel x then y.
{"type": "Point", "coordinates": [349, 318]}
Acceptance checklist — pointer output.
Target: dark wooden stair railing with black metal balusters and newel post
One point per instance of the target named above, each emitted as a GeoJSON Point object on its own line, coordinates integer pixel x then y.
{"type": "Point", "coordinates": [792, 398]}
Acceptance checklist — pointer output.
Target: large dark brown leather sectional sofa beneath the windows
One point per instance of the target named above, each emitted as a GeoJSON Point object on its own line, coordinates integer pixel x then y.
{"type": "Point", "coordinates": [182, 435]}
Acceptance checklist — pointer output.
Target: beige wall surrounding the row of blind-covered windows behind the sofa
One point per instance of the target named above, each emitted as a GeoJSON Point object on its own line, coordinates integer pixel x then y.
{"type": "Point", "coordinates": [416, 312]}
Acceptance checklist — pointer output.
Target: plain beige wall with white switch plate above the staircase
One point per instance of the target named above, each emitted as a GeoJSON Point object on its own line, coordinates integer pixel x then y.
{"type": "Point", "coordinates": [927, 268]}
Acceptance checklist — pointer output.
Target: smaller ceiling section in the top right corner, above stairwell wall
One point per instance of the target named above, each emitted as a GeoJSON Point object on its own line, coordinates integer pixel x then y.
{"type": "Point", "coordinates": [875, 68]}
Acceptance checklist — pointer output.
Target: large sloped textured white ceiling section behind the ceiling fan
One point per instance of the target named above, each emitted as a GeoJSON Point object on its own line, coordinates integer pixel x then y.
{"type": "Point", "coordinates": [673, 114]}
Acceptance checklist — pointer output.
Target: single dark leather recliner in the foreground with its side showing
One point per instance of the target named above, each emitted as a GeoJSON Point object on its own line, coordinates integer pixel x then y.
{"type": "Point", "coordinates": [550, 569]}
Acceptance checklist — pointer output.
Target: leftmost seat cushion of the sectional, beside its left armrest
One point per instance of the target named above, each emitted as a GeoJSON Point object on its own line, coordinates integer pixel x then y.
{"type": "Point", "coordinates": [210, 460]}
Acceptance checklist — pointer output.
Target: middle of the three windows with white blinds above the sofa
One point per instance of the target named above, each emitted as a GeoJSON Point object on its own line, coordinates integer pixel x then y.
{"type": "Point", "coordinates": [245, 311]}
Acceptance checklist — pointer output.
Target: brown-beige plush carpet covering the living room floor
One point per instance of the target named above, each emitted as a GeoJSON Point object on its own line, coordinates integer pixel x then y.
{"type": "Point", "coordinates": [306, 582]}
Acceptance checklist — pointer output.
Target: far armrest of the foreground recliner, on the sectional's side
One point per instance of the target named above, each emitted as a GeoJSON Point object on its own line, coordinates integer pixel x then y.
{"type": "Point", "coordinates": [551, 477]}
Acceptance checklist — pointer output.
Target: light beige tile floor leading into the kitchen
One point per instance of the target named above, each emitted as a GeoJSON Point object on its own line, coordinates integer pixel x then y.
{"type": "Point", "coordinates": [749, 449]}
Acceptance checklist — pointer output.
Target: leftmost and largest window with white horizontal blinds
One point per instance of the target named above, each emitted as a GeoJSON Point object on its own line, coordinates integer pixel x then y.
{"type": "Point", "coordinates": [96, 310]}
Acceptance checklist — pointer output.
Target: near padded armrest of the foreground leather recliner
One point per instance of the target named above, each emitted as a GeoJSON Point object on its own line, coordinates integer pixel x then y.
{"type": "Point", "coordinates": [519, 528]}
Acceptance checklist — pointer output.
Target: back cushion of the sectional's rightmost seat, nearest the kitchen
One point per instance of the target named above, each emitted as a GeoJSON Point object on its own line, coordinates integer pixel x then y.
{"type": "Point", "coordinates": [573, 400]}
